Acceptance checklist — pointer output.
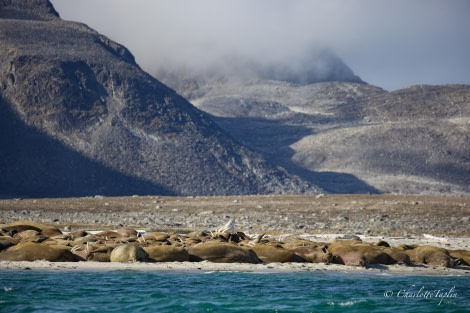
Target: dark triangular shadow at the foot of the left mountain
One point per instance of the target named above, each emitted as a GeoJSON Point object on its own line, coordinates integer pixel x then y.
{"type": "Point", "coordinates": [35, 165]}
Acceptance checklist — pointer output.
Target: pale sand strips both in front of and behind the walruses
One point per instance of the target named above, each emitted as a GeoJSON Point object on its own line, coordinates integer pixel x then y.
{"type": "Point", "coordinates": [206, 266]}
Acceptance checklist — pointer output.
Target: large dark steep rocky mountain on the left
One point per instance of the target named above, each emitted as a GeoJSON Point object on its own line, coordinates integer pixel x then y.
{"type": "Point", "coordinates": [80, 117]}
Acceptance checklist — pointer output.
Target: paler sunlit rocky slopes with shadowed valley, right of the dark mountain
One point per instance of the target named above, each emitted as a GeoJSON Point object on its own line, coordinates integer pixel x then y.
{"type": "Point", "coordinates": [349, 137]}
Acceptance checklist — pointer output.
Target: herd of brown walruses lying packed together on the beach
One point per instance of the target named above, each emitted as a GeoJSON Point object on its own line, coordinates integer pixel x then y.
{"type": "Point", "coordinates": [30, 241]}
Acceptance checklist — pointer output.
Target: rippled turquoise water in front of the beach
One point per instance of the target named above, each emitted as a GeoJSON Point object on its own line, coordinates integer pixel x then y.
{"type": "Point", "coordinates": [141, 291]}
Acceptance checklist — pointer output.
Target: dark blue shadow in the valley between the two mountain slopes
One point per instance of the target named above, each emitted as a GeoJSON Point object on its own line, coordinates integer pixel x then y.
{"type": "Point", "coordinates": [272, 140]}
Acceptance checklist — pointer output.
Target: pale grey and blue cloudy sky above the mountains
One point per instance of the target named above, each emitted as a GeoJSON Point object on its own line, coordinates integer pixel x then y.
{"type": "Point", "coordinates": [391, 43]}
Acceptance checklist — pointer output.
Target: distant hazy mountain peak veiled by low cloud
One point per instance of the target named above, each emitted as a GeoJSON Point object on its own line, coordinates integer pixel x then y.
{"type": "Point", "coordinates": [301, 68]}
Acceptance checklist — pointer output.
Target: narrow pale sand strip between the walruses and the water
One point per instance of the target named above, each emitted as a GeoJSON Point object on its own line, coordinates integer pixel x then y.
{"type": "Point", "coordinates": [205, 266]}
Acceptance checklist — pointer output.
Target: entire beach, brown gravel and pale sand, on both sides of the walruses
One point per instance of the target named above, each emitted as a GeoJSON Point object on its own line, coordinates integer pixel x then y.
{"type": "Point", "coordinates": [423, 220]}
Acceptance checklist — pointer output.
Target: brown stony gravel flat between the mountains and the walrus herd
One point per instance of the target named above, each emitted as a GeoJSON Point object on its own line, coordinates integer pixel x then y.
{"type": "Point", "coordinates": [373, 215]}
